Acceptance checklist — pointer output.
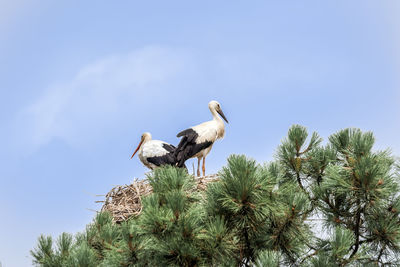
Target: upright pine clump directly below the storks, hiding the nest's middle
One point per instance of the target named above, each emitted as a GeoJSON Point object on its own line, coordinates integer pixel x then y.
{"type": "Point", "coordinates": [172, 219]}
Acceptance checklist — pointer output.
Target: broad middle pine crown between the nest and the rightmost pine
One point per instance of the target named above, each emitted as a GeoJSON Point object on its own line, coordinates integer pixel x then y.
{"type": "Point", "coordinates": [262, 214]}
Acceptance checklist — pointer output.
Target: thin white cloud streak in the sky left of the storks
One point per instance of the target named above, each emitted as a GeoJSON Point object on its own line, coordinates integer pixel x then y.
{"type": "Point", "coordinates": [80, 109]}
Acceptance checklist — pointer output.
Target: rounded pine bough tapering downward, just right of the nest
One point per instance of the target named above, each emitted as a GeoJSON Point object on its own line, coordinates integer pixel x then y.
{"type": "Point", "coordinates": [241, 198]}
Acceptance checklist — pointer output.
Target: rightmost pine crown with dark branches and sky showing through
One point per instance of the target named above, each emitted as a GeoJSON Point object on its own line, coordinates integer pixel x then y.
{"type": "Point", "coordinates": [353, 189]}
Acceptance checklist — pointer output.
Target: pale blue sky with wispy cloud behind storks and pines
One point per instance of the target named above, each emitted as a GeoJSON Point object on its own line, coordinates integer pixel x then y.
{"type": "Point", "coordinates": [80, 81]}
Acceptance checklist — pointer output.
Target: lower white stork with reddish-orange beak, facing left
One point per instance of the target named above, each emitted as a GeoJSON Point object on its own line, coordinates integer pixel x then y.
{"type": "Point", "coordinates": [154, 153]}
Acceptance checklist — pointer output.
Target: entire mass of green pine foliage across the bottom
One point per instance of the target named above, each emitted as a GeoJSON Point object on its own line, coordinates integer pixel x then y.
{"type": "Point", "coordinates": [336, 204]}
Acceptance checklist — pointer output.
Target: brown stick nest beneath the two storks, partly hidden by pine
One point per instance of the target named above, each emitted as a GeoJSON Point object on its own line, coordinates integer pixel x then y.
{"type": "Point", "coordinates": [125, 201]}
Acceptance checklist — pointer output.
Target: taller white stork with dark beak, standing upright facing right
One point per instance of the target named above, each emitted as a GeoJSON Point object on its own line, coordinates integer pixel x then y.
{"type": "Point", "coordinates": [198, 140]}
